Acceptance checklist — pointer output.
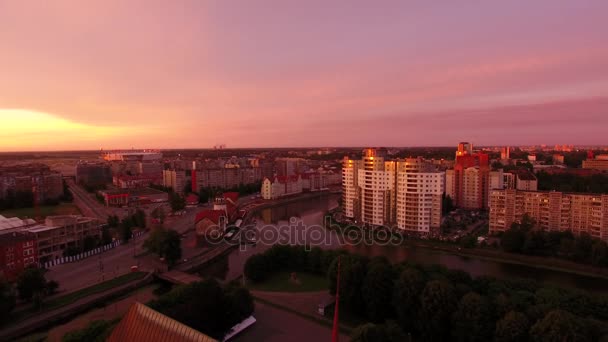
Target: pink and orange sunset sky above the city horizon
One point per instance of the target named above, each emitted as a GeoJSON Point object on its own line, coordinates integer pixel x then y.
{"type": "Point", "coordinates": [193, 74]}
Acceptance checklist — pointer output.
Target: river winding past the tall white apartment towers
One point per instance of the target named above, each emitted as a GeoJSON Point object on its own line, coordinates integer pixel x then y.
{"type": "Point", "coordinates": [308, 215]}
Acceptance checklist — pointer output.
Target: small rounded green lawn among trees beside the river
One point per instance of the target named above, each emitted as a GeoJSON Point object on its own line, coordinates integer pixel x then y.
{"type": "Point", "coordinates": [280, 282]}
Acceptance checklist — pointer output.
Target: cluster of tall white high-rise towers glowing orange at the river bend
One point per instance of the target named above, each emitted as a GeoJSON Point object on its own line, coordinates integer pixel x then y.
{"type": "Point", "coordinates": [406, 193]}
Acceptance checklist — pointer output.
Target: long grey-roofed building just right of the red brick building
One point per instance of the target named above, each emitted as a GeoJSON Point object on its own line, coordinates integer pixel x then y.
{"type": "Point", "coordinates": [61, 232]}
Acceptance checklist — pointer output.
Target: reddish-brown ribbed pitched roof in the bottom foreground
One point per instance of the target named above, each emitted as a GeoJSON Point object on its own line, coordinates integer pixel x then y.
{"type": "Point", "coordinates": [142, 324]}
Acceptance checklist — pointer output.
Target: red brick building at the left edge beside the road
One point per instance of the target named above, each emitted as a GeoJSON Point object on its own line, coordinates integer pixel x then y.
{"type": "Point", "coordinates": [17, 251]}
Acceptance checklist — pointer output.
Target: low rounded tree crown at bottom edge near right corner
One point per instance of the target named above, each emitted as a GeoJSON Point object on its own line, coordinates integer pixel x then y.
{"type": "Point", "coordinates": [559, 326]}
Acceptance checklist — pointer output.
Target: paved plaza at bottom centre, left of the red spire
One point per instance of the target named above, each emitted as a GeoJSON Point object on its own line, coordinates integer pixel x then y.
{"type": "Point", "coordinates": [276, 325]}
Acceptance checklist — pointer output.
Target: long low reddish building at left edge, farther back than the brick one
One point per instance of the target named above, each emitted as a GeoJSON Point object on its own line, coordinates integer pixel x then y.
{"type": "Point", "coordinates": [32, 178]}
